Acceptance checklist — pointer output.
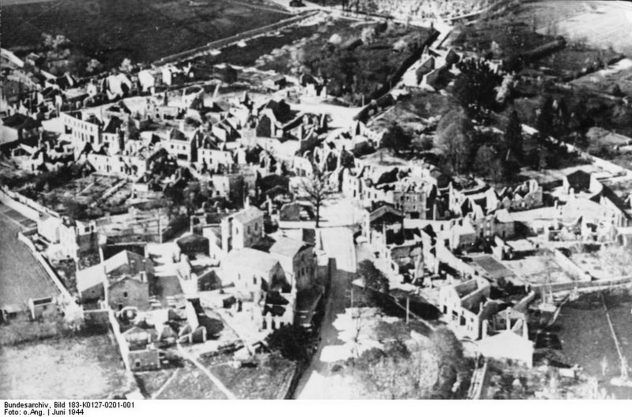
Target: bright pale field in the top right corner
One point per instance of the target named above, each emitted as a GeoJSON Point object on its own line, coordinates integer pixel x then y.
{"type": "Point", "coordinates": [601, 24]}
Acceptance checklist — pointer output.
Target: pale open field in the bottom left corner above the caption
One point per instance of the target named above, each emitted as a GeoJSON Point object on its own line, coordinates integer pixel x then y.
{"type": "Point", "coordinates": [73, 367]}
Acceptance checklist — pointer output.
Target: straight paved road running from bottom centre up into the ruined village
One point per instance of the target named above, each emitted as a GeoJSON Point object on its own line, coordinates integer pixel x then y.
{"type": "Point", "coordinates": [317, 381]}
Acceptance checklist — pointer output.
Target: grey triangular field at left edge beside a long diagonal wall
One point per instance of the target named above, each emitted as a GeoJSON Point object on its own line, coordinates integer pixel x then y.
{"type": "Point", "coordinates": [21, 276]}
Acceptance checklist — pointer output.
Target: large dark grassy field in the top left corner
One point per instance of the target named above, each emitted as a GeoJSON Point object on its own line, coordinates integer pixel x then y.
{"type": "Point", "coordinates": [142, 30]}
